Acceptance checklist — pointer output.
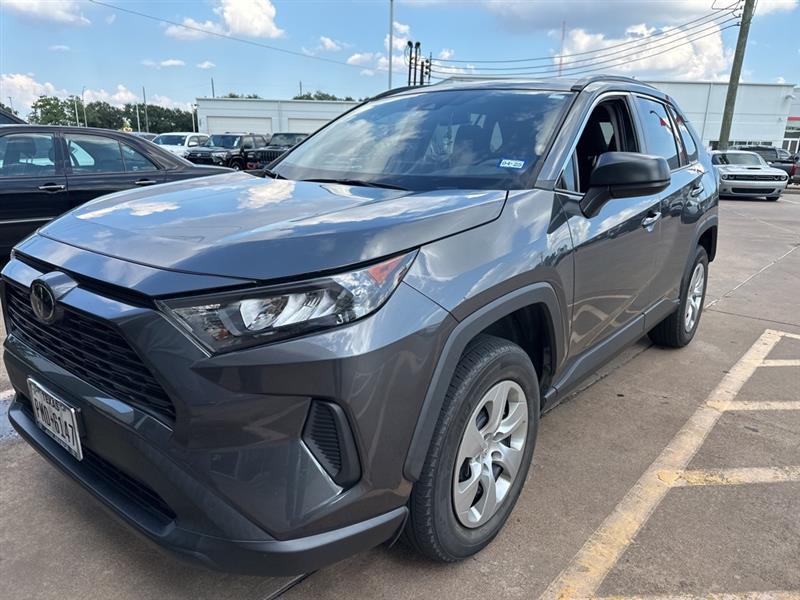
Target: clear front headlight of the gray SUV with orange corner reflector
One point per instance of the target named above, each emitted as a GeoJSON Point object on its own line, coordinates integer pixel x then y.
{"type": "Point", "coordinates": [233, 320]}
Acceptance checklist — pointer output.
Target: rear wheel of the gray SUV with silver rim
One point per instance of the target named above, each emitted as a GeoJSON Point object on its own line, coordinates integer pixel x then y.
{"type": "Point", "coordinates": [678, 329]}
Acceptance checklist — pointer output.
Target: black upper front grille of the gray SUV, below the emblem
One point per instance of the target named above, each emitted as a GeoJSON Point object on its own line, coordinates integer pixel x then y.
{"type": "Point", "coordinates": [90, 349]}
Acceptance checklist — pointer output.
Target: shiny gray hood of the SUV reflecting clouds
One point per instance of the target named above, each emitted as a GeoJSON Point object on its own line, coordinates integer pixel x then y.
{"type": "Point", "coordinates": [237, 225]}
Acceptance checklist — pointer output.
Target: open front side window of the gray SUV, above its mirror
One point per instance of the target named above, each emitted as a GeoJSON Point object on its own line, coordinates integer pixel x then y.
{"type": "Point", "coordinates": [608, 129]}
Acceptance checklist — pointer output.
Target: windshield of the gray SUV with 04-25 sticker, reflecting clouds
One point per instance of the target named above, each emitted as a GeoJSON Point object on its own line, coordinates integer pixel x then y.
{"type": "Point", "coordinates": [468, 139]}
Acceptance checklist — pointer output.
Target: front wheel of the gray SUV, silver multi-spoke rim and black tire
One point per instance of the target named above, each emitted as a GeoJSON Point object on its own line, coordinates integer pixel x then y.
{"type": "Point", "coordinates": [480, 452]}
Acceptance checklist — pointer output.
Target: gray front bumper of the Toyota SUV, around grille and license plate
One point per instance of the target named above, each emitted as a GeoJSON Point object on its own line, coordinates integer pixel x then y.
{"type": "Point", "coordinates": [231, 482]}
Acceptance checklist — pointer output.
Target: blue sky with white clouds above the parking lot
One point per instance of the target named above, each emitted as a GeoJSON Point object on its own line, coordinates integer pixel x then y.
{"type": "Point", "coordinates": [61, 46]}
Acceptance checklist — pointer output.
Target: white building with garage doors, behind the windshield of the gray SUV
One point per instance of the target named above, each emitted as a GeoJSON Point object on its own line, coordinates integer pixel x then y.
{"type": "Point", "coordinates": [218, 115]}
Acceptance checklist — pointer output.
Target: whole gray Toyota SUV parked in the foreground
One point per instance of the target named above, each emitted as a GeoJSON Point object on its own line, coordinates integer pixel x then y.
{"type": "Point", "coordinates": [268, 374]}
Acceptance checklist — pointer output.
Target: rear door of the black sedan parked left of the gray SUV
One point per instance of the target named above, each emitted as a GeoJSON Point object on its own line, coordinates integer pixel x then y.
{"type": "Point", "coordinates": [101, 165]}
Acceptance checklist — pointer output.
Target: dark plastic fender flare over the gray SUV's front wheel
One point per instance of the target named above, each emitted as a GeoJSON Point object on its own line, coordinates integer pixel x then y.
{"type": "Point", "coordinates": [466, 330]}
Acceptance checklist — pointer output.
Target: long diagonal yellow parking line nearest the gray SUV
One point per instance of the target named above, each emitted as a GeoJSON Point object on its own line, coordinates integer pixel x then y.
{"type": "Point", "coordinates": [583, 576]}
